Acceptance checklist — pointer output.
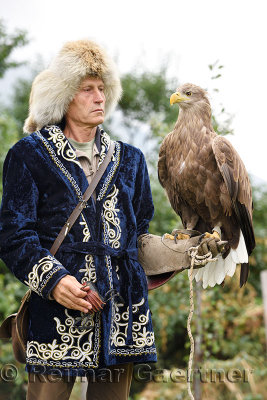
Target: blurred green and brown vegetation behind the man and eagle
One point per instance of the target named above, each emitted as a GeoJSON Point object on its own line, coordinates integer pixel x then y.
{"type": "Point", "coordinates": [228, 322]}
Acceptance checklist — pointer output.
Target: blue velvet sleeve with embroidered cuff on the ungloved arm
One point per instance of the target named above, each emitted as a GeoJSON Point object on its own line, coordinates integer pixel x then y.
{"type": "Point", "coordinates": [20, 246]}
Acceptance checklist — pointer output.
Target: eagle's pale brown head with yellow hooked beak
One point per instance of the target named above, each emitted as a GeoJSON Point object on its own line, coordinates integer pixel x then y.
{"type": "Point", "coordinates": [189, 95]}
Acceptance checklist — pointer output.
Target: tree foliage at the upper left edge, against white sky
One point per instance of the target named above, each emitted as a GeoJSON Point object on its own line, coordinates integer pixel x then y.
{"type": "Point", "coordinates": [8, 43]}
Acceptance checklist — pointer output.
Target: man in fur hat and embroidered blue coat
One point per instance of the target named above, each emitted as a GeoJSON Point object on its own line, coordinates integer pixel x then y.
{"type": "Point", "coordinates": [45, 175]}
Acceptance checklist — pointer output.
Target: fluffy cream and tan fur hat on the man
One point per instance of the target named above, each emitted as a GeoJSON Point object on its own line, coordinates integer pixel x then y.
{"type": "Point", "coordinates": [54, 88]}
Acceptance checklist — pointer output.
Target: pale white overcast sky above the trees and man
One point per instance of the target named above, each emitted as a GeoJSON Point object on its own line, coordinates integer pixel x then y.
{"type": "Point", "coordinates": [190, 35]}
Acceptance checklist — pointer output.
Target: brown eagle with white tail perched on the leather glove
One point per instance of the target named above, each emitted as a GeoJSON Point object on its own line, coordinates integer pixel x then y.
{"type": "Point", "coordinates": [207, 185]}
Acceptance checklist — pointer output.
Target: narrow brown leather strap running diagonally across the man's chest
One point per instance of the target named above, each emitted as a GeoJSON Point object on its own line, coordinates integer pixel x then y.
{"type": "Point", "coordinates": [86, 196]}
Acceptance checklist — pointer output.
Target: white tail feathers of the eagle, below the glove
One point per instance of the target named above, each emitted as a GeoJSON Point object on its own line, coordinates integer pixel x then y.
{"type": "Point", "coordinates": [214, 272]}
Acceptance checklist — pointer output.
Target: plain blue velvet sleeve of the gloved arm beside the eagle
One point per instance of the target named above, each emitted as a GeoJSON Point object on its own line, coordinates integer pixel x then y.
{"type": "Point", "coordinates": [143, 203]}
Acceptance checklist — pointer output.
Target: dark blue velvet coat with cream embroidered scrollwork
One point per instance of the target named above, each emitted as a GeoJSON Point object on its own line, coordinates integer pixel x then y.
{"type": "Point", "coordinates": [42, 183]}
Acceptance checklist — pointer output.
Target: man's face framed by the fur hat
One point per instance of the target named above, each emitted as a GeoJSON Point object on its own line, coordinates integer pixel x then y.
{"type": "Point", "coordinates": [88, 106]}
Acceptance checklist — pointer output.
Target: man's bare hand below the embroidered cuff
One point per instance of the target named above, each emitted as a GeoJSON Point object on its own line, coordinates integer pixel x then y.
{"type": "Point", "coordinates": [68, 292]}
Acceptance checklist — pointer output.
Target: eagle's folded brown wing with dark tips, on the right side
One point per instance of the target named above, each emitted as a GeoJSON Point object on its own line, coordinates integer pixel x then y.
{"type": "Point", "coordinates": [238, 186]}
